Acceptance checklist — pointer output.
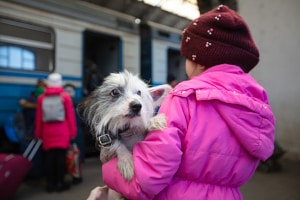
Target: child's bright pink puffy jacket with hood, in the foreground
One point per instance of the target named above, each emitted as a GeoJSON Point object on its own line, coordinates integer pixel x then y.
{"type": "Point", "coordinates": [220, 125]}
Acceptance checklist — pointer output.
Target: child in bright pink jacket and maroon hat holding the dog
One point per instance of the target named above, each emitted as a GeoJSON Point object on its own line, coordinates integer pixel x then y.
{"type": "Point", "coordinates": [220, 123]}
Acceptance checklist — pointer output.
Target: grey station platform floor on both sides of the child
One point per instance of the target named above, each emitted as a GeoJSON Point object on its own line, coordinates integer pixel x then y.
{"type": "Point", "coordinates": [283, 185]}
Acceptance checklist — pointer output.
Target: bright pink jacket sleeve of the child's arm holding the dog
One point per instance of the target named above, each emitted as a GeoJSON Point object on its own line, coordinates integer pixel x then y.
{"type": "Point", "coordinates": [156, 159]}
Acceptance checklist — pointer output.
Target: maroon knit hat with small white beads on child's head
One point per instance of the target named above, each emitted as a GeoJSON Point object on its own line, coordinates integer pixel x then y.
{"type": "Point", "coordinates": [217, 37]}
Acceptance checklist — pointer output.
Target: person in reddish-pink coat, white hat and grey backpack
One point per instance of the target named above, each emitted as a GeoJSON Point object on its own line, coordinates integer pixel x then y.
{"type": "Point", "coordinates": [56, 134]}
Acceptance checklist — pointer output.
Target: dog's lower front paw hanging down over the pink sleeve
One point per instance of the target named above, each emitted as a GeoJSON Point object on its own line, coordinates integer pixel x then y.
{"type": "Point", "coordinates": [125, 165]}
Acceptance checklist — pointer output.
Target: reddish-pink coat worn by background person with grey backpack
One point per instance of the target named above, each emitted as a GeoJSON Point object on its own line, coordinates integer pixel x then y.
{"type": "Point", "coordinates": [56, 134]}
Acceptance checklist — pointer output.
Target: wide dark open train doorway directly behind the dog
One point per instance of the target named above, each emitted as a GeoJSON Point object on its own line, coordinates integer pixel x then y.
{"type": "Point", "coordinates": [102, 55]}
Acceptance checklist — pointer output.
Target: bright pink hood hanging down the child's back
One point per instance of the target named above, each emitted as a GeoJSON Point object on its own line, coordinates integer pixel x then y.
{"type": "Point", "coordinates": [241, 102]}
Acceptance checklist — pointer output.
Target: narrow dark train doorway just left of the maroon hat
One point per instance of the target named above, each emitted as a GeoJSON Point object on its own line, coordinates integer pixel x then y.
{"type": "Point", "coordinates": [176, 64]}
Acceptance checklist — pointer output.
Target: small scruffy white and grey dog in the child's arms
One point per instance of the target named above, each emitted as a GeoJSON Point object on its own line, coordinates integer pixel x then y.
{"type": "Point", "coordinates": [122, 108]}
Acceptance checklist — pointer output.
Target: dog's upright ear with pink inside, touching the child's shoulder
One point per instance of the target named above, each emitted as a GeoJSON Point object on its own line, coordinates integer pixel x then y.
{"type": "Point", "coordinates": [158, 93]}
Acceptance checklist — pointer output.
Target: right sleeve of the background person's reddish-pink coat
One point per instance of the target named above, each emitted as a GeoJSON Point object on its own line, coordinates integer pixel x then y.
{"type": "Point", "coordinates": [70, 115]}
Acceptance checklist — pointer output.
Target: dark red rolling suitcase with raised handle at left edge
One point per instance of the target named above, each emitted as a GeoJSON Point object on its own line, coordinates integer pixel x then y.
{"type": "Point", "coordinates": [14, 168]}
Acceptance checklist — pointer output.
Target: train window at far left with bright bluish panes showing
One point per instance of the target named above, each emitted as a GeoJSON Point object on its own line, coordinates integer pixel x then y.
{"type": "Point", "coordinates": [25, 46]}
